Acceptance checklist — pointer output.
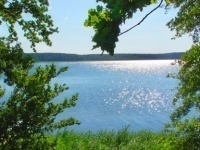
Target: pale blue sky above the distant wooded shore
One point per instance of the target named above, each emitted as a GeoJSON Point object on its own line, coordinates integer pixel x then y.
{"type": "Point", "coordinates": [152, 36]}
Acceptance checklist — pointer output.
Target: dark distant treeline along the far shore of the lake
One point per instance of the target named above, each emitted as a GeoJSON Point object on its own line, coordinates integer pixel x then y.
{"type": "Point", "coordinates": [104, 57]}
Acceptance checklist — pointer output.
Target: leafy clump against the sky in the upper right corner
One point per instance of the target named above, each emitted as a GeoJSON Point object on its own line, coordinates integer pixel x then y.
{"type": "Point", "coordinates": [188, 18]}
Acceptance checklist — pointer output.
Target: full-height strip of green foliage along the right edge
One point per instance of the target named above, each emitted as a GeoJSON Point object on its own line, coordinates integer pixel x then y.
{"type": "Point", "coordinates": [188, 89]}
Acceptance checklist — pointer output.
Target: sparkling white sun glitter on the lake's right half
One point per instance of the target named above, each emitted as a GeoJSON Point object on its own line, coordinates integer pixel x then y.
{"type": "Point", "coordinates": [140, 92]}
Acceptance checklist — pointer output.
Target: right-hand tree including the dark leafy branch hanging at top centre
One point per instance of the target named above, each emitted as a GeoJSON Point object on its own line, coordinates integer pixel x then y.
{"type": "Point", "coordinates": [106, 20]}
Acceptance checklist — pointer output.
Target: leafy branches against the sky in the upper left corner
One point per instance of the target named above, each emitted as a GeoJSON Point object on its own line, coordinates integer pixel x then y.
{"type": "Point", "coordinates": [37, 27]}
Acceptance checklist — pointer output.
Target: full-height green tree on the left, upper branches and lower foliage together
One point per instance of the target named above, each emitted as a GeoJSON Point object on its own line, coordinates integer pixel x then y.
{"type": "Point", "coordinates": [29, 113]}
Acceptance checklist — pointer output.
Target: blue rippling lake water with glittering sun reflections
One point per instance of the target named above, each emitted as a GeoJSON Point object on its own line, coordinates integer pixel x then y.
{"type": "Point", "coordinates": [114, 94]}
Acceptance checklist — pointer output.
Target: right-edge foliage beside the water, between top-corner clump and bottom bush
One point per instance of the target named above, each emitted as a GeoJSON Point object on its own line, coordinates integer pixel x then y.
{"type": "Point", "coordinates": [188, 88]}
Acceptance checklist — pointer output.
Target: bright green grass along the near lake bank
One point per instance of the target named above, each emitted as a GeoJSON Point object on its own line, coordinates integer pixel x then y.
{"type": "Point", "coordinates": [120, 140]}
